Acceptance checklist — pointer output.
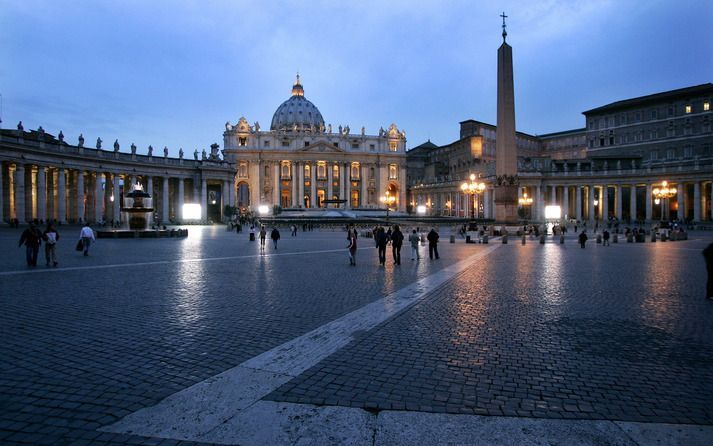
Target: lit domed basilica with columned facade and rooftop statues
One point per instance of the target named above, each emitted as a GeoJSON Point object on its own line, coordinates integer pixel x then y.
{"type": "Point", "coordinates": [300, 163]}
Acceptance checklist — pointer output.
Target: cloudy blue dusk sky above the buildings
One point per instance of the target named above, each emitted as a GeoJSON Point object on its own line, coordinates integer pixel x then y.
{"type": "Point", "coordinates": [171, 73]}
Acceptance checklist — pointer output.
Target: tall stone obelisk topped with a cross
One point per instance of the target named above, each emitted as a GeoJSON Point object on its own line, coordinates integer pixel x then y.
{"type": "Point", "coordinates": [505, 148]}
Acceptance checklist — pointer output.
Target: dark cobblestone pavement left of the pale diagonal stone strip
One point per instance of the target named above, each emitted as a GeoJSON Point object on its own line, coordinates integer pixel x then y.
{"type": "Point", "coordinates": [102, 336]}
